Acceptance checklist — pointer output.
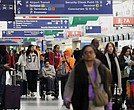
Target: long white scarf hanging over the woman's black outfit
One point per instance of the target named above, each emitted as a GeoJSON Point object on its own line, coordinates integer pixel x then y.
{"type": "Point", "coordinates": [118, 68]}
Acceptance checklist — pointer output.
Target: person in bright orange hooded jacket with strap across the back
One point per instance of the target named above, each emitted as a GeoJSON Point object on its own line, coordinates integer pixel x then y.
{"type": "Point", "coordinates": [69, 64]}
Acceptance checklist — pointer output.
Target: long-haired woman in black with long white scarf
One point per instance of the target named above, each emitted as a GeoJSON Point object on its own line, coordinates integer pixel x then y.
{"type": "Point", "coordinates": [113, 65]}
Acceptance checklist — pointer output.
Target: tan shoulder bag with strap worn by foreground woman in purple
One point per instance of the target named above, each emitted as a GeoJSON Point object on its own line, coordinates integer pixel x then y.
{"type": "Point", "coordinates": [101, 97]}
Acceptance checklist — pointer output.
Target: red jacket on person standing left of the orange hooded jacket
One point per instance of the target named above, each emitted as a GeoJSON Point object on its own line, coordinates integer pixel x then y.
{"type": "Point", "coordinates": [54, 58]}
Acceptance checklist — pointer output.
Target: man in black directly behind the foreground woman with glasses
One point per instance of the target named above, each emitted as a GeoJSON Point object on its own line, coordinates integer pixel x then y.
{"type": "Point", "coordinates": [99, 54]}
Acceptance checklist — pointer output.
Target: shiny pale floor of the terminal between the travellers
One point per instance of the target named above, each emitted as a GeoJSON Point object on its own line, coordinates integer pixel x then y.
{"type": "Point", "coordinates": [28, 103]}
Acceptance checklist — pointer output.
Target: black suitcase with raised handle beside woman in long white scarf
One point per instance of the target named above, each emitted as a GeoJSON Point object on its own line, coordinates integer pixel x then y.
{"type": "Point", "coordinates": [116, 101]}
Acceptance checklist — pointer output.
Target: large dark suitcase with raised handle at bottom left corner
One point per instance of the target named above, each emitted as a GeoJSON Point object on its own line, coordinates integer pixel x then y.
{"type": "Point", "coordinates": [12, 94]}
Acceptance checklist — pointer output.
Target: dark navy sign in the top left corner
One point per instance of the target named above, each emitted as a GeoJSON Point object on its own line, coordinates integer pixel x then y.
{"type": "Point", "coordinates": [7, 10]}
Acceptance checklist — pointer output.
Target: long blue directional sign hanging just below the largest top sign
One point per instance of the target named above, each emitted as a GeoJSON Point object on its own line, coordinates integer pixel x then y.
{"type": "Point", "coordinates": [38, 24]}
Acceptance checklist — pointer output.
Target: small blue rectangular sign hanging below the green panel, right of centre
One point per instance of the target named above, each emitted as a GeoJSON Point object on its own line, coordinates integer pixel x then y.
{"type": "Point", "coordinates": [93, 29]}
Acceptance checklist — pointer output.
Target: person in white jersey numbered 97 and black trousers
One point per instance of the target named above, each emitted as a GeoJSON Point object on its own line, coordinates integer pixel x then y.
{"type": "Point", "coordinates": [32, 68]}
